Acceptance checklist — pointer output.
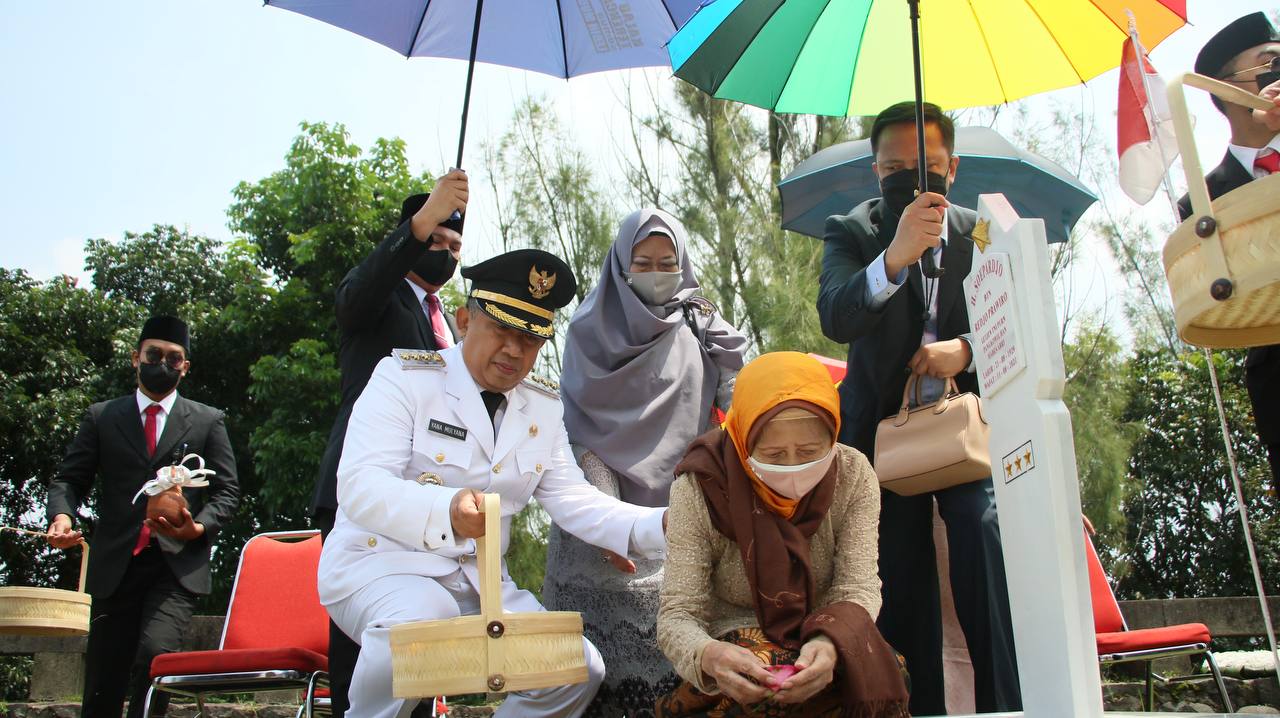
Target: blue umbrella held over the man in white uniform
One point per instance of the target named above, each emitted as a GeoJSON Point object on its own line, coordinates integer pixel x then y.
{"type": "Point", "coordinates": [554, 38]}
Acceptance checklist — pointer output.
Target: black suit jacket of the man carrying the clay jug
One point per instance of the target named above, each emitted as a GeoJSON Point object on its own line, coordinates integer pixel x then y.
{"type": "Point", "coordinates": [111, 447]}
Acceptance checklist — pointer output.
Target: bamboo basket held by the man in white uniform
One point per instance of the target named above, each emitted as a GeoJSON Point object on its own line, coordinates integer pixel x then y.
{"type": "Point", "coordinates": [493, 652]}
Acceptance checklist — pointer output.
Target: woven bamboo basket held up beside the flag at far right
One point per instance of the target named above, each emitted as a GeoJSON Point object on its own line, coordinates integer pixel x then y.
{"type": "Point", "coordinates": [1223, 263]}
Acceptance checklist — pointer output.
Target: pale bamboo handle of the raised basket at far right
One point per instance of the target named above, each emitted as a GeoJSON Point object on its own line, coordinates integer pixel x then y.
{"type": "Point", "coordinates": [1203, 211]}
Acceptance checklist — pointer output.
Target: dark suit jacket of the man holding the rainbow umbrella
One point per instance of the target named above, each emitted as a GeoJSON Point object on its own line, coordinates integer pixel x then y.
{"type": "Point", "coordinates": [883, 342]}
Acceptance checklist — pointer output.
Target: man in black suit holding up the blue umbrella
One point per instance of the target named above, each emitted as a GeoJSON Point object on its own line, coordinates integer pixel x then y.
{"type": "Point", "coordinates": [388, 301]}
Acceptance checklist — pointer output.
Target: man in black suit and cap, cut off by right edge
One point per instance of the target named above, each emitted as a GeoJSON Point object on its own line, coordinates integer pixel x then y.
{"type": "Point", "coordinates": [1242, 54]}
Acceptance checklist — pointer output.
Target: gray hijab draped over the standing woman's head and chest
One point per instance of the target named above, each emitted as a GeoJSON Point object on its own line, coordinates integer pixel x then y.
{"type": "Point", "coordinates": [638, 386]}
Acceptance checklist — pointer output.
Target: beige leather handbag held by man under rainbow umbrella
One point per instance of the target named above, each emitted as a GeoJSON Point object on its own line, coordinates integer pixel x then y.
{"type": "Point", "coordinates": [934, 447]}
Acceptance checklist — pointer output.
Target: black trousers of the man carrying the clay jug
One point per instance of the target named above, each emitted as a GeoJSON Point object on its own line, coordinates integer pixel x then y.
{"type": "Point", "coordinates": [147, 616]}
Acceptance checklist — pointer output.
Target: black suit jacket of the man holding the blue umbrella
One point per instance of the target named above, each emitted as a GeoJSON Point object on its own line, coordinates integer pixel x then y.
{"type": "Point", "coordinates": [377, 313]}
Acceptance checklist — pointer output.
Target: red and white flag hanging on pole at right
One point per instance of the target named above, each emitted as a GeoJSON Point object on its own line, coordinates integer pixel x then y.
{"type": "Point", "coordinates": [1145, 130]}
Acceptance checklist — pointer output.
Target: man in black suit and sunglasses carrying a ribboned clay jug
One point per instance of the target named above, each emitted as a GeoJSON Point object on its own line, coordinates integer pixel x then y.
{"type": "Point", "coordinates": [145, 577]}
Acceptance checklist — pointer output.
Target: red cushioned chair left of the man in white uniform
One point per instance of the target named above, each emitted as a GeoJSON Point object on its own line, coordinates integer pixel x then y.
{"type": "Point", "coordinates": [276, 637]}
